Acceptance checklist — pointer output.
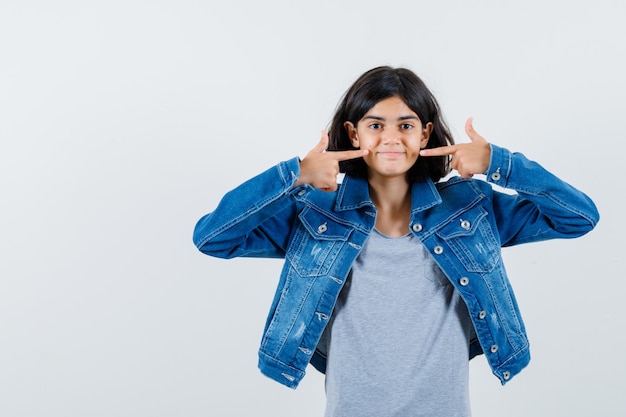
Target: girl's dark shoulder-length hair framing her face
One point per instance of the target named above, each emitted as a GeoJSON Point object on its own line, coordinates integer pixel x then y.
{"type": "Point", "coordinates": [378, 84]}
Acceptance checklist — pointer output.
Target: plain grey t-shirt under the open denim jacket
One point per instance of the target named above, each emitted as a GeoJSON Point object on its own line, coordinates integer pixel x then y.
{"type": "Point", "coordinates": [399, 336]}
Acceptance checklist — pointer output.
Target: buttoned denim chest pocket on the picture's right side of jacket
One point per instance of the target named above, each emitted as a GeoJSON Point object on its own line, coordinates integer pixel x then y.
{"type": "Point", "coordinates": [472, 240]}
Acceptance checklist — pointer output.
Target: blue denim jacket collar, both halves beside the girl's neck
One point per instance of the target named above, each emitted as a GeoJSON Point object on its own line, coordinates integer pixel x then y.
{"type": "Point", "coordinates": [354, 193]}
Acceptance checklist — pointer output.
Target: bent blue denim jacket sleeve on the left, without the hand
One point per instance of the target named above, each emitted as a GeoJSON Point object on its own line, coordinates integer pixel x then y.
{"type": "Point", "coordinates": [254, 219]}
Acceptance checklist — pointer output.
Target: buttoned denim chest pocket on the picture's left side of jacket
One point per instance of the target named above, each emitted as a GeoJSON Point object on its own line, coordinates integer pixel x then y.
{"type": "Point", "coordinates": [316, 243]}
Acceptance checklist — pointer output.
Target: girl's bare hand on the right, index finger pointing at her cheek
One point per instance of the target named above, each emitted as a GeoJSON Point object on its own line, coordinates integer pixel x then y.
{"type": "Point", "coordinates": [467, 158]}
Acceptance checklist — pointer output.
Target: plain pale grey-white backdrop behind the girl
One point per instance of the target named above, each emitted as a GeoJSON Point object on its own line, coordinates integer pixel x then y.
{"type": "Point", "coordinates": [123, 122]}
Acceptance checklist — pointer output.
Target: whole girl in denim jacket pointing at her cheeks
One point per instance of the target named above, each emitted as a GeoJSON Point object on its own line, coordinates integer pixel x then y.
{"type": "Point", "coordinates": [393, 278]}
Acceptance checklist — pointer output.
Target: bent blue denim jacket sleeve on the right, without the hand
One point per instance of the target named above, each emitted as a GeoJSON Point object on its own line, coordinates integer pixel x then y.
{"type": "Point", "coordinates": [543, 207]}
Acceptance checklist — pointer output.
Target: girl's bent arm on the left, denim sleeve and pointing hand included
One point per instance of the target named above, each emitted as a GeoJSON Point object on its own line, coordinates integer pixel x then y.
{"type": "Point", "coordinates": [255, 219]}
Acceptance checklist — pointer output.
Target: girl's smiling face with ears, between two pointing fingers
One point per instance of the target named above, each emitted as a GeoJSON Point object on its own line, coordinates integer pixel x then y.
{"type": "Point", "coordinates": [393, 134]}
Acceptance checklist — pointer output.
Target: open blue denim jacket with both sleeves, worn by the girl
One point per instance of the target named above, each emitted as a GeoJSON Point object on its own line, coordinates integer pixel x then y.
{"type": "Point", "coordinates": [463, 223]}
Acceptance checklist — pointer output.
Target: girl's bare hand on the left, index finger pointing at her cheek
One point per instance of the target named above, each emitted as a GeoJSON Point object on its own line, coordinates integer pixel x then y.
{"type": "Point", "coordinates": [320, 168]}
